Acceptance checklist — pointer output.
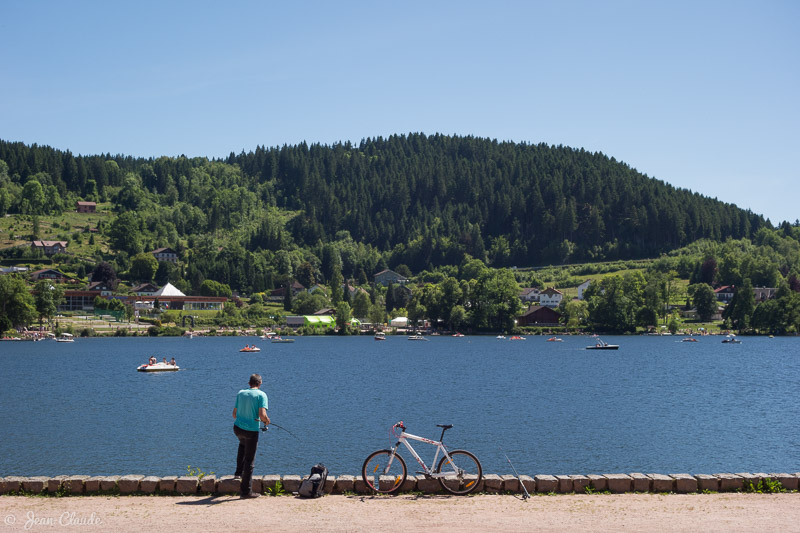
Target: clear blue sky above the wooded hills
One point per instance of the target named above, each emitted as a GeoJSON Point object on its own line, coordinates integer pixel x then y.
{"type": "Point", "coordinates": [704, 95]}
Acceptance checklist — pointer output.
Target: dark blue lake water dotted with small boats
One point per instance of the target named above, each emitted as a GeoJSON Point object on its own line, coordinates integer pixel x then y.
{"type": "Point", "coordinates": [655, 405]}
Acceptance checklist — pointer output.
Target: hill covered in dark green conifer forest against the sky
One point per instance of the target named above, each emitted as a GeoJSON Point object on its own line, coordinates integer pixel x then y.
{"type": "Point", "coordinates": [428, 199]}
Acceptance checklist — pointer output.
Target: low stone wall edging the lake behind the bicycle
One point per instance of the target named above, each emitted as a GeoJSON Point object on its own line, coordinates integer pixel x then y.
{"type": "Point", "coordinates": [491, 483]}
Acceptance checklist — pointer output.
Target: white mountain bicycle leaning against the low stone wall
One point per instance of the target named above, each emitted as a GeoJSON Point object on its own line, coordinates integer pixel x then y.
{"type": "Point", "coordinates": [459, 472]}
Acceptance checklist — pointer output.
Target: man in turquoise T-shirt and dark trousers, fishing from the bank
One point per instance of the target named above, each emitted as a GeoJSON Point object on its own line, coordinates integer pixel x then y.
{"type": "Point", "coordinates": [250, 407]}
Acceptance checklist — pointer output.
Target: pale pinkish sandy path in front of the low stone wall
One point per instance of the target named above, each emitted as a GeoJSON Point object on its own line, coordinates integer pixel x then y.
{"type": "Point", "coordinates": [596, 513]}
